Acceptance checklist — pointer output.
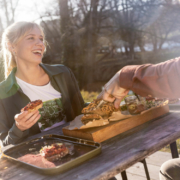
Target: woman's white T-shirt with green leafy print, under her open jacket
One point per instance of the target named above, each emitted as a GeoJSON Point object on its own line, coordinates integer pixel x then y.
{"type": "Point", "coordinates": [52, 113]}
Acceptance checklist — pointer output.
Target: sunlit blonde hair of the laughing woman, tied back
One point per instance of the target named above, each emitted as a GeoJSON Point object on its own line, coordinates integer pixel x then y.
{"type": "Point", "coordinates": [13, 34]}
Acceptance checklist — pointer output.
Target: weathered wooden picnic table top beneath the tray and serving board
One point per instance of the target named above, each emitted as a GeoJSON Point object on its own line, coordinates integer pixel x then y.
{"type": "Point", "coordinates": [118, 153]}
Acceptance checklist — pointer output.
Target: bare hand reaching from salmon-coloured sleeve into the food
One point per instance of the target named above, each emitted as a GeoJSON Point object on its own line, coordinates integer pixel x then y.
{"type": "Point", "coordinates": [112, 91]}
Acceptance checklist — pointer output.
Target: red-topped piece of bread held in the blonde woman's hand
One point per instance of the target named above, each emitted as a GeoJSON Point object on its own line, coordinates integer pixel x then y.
{"type": "Point", "coordinates": [33, 105]}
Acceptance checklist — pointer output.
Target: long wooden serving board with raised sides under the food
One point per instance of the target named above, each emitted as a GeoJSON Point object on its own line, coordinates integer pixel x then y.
{"type": "Point", "coordinates": [100, 134]}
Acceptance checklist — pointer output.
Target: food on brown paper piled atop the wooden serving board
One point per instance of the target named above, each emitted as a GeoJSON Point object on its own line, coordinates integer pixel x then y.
{"type": "Point", "coordinates": [98, 114]}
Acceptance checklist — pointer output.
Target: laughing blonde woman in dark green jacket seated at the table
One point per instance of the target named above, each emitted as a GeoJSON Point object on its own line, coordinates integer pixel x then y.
{"type": "Point", "coordinates": [27, 79]}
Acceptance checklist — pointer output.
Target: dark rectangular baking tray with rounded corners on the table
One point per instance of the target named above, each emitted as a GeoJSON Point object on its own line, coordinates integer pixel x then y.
{"type": "Point", "coordinates": [28, 153]}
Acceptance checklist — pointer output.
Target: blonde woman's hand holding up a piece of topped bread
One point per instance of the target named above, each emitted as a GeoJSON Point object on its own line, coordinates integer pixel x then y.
{"type": "Point", "coordinates": [26, 119]}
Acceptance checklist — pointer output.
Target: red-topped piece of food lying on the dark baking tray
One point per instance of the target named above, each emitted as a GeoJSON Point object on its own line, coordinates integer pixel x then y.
{"type": "Point", "coordinates": [54, 152]}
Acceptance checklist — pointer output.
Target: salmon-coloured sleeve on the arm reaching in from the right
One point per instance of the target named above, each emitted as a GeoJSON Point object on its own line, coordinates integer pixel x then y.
{"type": "Point", "coordinates": [157, 80]}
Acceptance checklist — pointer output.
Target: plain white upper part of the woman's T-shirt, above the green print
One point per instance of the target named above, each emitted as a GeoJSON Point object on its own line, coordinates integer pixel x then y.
{"type": "Point", "coordinates": [45, 93]}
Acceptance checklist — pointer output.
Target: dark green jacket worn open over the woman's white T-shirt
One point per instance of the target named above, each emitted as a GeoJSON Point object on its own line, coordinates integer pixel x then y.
{"type": "Point", "coordinates": [12, 100]}
